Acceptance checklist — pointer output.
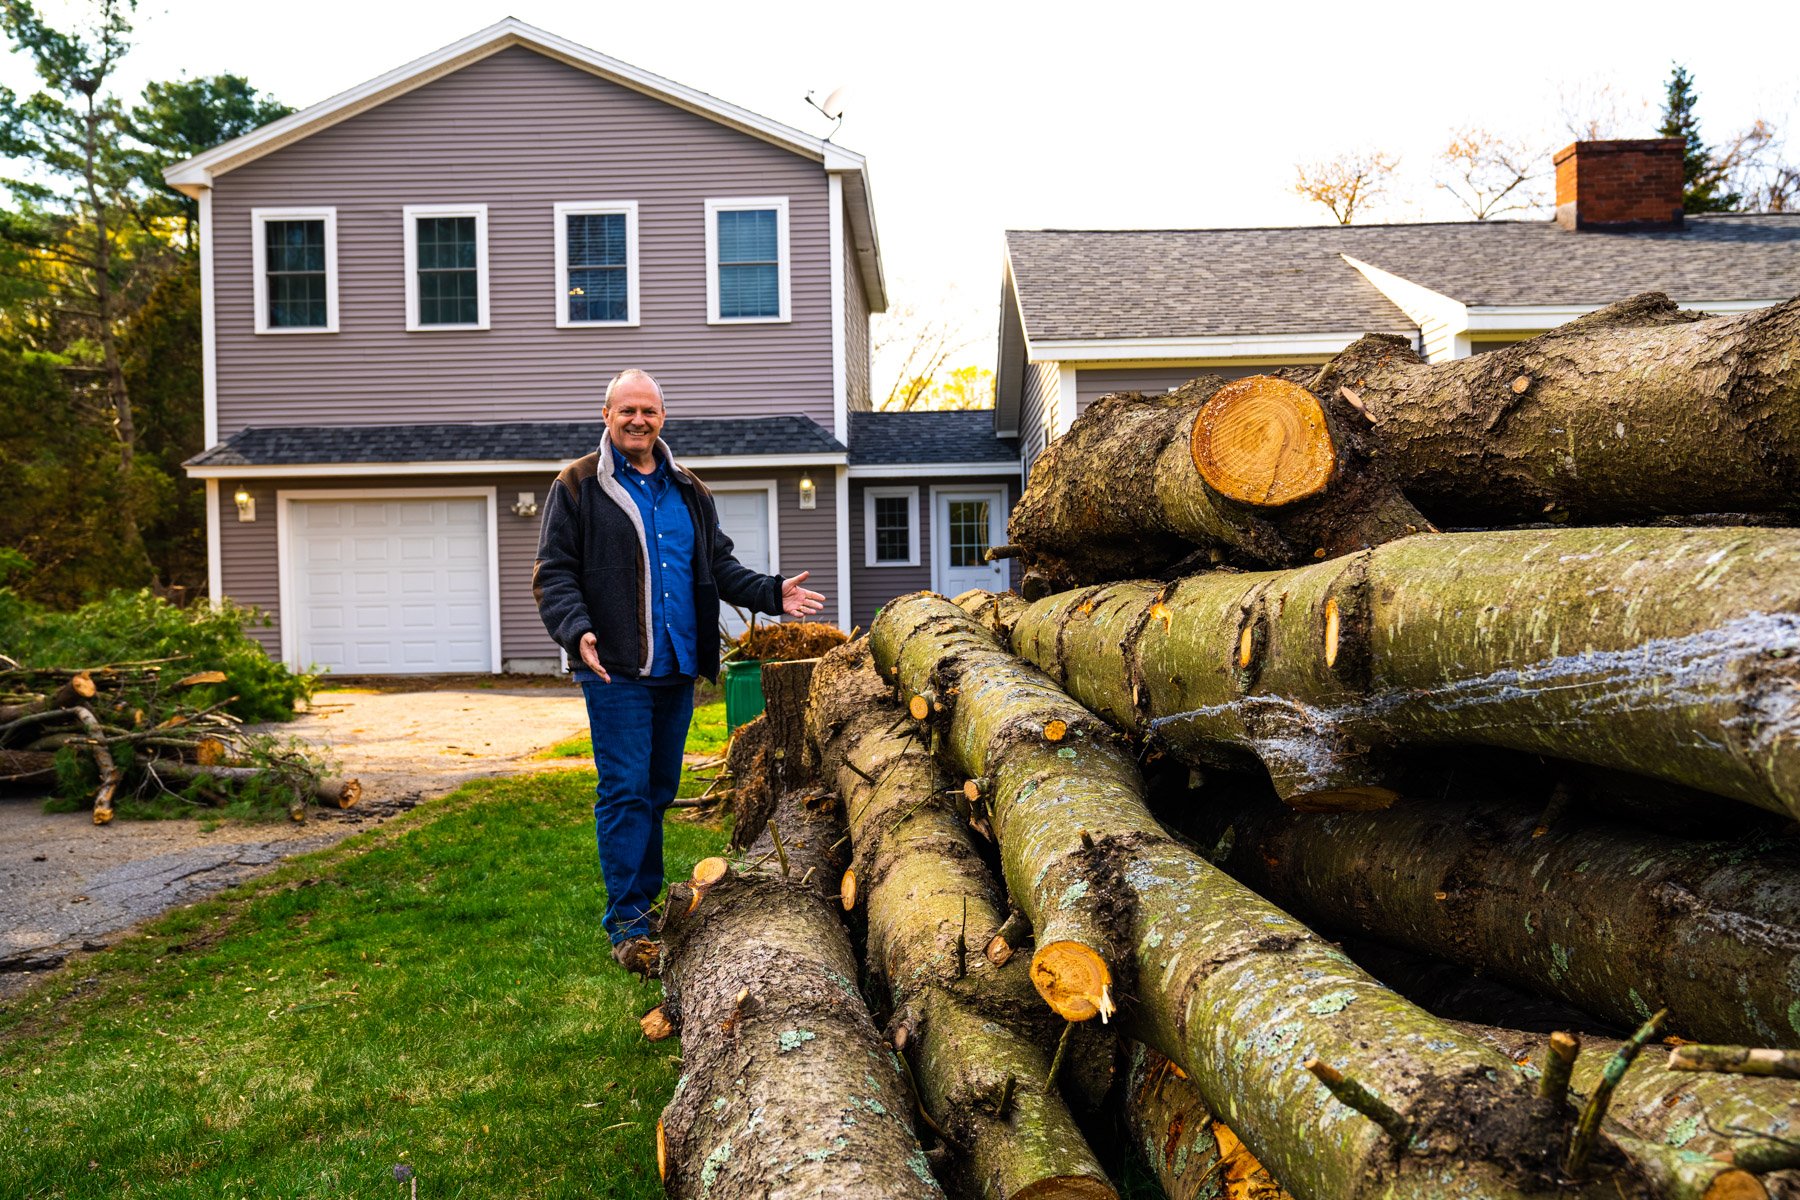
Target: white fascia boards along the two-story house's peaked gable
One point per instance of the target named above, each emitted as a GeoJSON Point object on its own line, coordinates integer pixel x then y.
{"type": "Point", "coordinates": [499, 37]}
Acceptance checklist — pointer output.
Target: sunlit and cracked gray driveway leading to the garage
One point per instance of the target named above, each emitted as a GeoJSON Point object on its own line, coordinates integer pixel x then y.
{"type": "Point", "coordinates": [69, 886]}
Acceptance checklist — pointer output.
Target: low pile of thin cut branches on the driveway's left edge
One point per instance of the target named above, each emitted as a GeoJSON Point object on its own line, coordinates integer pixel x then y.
{"type": "Point", "coordinates": [130, 722]}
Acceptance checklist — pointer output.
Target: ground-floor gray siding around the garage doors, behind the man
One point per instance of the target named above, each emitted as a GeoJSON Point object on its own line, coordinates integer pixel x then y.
{"type": "Point", "coordinates": [249, 550]}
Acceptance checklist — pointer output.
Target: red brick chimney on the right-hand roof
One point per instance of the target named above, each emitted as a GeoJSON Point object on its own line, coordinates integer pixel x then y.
{"type": "Point", "coordinates": [1621, 186]}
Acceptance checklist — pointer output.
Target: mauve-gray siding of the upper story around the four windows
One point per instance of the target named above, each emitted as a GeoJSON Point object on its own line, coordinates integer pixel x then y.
{"type": "Point", "coordinates": [519, 132]}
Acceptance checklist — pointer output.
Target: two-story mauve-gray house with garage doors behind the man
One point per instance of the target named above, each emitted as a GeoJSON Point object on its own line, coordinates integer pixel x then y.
{"type": "Point", "coordinates": [417, 292]}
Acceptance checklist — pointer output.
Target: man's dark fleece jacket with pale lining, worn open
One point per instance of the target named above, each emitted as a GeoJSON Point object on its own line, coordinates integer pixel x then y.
{"type": "Point", "coordinates": [593, 571]}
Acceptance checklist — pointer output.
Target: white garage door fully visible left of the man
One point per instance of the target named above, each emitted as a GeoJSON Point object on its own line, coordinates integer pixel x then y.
{"type": "Point", "coordinates": [390, 587]}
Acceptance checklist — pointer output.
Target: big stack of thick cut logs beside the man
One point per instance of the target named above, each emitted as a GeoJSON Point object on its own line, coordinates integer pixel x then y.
{"type": "Point", "coordinates": [1387, 785]}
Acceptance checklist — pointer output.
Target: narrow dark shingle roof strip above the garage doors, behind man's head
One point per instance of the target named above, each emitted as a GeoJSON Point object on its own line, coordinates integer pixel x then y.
{"type": "Point", "coordinates": [514, 442]}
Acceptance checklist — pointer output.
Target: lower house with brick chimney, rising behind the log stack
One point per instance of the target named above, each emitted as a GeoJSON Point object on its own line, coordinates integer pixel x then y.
{"type": "Point", "coordinates": [1095, 312]}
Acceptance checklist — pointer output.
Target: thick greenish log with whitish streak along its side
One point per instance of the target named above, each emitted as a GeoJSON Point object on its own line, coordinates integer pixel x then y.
{"type": "Point", "coordinates": [1666, 652]}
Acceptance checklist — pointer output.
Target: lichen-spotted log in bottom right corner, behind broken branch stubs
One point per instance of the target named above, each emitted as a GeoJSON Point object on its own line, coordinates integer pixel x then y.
{"type": "Point", "coordinates": [1747, 1122]}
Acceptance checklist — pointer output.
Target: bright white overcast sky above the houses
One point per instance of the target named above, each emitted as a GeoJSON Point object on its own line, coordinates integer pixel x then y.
{"type": "Point", "coordinates": [980, 118]}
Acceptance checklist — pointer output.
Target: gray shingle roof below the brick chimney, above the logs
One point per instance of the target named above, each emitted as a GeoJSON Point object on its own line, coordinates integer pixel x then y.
{"type": "Point", "coordinates": [1245, 282]}
